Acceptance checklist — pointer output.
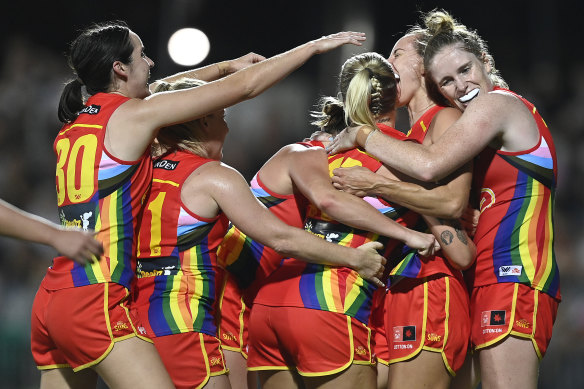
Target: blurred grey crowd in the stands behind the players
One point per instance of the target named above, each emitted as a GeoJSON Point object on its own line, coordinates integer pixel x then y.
{"type": "Point", "coordinates": [31, 80]}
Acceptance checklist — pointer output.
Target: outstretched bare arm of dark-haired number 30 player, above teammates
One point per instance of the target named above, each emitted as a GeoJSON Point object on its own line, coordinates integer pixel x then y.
{"type": "Point", "coordinates": [133, 125]}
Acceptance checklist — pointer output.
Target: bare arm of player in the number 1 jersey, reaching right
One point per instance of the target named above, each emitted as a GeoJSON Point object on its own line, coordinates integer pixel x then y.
{"type": "Point", "coordinates": [222, 185]}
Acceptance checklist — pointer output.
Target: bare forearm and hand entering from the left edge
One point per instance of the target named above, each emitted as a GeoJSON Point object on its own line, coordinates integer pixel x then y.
{"type": "Point", "coordinates": [75, 244]}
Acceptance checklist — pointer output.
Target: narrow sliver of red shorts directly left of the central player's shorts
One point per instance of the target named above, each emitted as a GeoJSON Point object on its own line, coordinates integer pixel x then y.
{"type": "Point", "coordinates": [232, 329]}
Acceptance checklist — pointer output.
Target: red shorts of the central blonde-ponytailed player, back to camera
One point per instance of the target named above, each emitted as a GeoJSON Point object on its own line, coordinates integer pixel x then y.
{"type": "Point", "coordinates": [313, 342]}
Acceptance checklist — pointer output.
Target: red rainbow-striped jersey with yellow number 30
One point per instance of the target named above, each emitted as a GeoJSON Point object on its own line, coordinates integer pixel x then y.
{"type": "Point", "coordinates": [96, 191]}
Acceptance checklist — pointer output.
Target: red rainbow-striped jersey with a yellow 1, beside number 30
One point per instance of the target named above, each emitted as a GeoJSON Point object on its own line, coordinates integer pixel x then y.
{"type": "Point", "coordinates": [178, 276]}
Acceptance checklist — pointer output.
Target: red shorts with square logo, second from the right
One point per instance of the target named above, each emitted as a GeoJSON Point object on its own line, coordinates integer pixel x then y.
{"type": "Point", "coordinates": [430, 314]}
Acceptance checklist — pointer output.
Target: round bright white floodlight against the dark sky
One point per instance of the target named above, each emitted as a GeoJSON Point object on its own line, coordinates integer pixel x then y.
{"type": "Point", "coordinates": [188, 46]}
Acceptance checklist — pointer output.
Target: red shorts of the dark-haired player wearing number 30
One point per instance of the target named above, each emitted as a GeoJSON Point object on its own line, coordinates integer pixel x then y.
{"type": "Point", "coordinates": [77, 327]}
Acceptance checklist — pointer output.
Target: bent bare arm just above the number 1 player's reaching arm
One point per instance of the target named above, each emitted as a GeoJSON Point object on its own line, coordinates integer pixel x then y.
{"type": "Point", "coordinates": [308, 169]}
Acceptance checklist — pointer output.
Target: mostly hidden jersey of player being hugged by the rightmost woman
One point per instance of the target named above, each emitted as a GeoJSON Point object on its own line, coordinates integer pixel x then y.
{"type": "Point", "coordinates": [413, 265]}
